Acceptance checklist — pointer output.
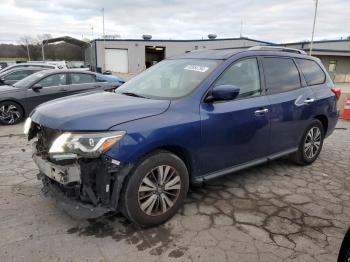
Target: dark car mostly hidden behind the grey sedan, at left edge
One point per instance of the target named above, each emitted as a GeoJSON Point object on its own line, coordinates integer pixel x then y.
{"type": "Point", "coordinates": [10, 77]}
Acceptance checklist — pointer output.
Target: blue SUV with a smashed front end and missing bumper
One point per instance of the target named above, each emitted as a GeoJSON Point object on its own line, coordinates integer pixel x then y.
{"type": "Point", "coordinates": [186, 120]}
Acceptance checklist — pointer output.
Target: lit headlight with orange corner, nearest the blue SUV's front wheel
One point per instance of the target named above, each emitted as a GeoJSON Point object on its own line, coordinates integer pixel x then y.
{"type": "Point", "coordinates": [88, 145]}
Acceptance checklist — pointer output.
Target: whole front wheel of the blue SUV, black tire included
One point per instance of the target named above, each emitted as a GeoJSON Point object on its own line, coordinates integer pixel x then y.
{"type": "Point", "coordinates": [156, 189]}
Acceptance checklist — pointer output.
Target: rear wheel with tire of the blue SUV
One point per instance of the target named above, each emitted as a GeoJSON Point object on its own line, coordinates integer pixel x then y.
{"type": "Point", "coordinates": [310, 145]}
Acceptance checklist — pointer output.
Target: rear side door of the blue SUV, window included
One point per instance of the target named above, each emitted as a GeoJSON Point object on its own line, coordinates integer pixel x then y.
{"type": "Point", "coordinates": [290, 101]}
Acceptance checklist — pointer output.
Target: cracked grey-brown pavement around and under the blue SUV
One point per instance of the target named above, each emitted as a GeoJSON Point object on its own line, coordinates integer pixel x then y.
{"type": "Point", "coordinates": [274, 212]}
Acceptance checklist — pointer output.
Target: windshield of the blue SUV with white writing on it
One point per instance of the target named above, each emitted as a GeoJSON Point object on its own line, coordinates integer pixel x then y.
{"type": "Point", "coordinates": [169, 79]}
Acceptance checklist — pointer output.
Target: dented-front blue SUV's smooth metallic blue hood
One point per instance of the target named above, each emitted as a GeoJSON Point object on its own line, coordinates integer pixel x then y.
{"type": "Point", "coordinates": [95, 111]}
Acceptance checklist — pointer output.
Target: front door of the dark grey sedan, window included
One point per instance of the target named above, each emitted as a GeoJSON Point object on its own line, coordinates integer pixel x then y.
{"type": "Point", "coordinates": [53, 86]}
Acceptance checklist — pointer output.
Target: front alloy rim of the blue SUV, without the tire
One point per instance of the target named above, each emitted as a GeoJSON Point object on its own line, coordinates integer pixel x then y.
{"type": "Point", "coordinates": [159, 190]}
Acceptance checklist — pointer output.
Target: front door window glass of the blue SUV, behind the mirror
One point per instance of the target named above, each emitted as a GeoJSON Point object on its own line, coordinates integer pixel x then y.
{"type": "Point", "coordinates": [243, 74]}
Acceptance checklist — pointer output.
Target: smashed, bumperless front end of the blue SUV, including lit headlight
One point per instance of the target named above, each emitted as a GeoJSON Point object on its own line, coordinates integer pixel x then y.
{"type": "Point", "coordinates": [82, 182]}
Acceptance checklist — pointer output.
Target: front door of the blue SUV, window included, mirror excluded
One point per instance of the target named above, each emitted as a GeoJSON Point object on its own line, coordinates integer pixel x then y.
{"type": "Point", "coordinates": [235, 132]}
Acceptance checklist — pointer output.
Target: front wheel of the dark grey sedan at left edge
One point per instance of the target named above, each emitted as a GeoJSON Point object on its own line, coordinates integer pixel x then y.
{"type": "Point", "coordinates": [11, 113]}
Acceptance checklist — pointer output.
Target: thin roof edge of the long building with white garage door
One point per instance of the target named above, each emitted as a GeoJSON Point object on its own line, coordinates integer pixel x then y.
{"type": "Point", "coordinates": [183, 40]}
